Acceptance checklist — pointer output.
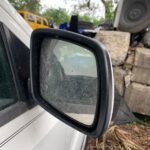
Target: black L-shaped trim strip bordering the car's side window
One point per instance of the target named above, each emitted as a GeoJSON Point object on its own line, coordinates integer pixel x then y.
{"type": "Point", "coordinates": [6, 114]}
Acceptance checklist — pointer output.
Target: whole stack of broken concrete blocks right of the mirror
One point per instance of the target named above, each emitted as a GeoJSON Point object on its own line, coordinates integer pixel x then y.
{"type": "Point", "coordinates": [131, 69]}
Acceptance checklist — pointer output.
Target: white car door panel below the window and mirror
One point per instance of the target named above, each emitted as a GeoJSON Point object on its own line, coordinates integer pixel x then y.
{"type": "Point", "coordinates": [36, 129]}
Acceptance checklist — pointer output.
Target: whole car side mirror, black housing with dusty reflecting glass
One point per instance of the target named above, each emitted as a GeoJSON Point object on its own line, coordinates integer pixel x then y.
{"type": "Point", "coordinates": [72, 79]}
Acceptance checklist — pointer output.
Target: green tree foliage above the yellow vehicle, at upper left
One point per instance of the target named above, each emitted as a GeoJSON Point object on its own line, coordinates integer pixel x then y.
{"type": "Point", "coordinates": [29, 5]}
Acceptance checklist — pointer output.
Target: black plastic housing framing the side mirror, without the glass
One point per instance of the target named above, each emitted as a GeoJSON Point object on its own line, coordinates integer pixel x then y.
{"type": "Point", "coordinates": [105, 92]}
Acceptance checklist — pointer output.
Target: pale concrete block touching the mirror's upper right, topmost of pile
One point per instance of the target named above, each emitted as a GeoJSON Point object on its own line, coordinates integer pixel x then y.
{"type": "Point", "coordinates": [117, 43]}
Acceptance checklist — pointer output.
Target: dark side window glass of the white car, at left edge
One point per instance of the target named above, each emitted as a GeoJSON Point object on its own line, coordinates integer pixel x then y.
{"type": "Point", "coordinates": [7, 87]}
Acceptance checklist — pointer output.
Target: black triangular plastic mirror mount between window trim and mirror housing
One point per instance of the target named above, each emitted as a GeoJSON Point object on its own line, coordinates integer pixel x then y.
{"type": "Point", "coordinates": [20, 57]}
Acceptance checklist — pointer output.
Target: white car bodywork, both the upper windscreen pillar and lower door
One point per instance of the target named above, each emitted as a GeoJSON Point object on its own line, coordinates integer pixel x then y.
{"type": "Point", "coordinates": [34, 129]}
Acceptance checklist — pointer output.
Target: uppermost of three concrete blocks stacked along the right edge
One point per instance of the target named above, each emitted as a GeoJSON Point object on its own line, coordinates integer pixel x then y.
{"type": "Point", "coordinates": [142, 58]}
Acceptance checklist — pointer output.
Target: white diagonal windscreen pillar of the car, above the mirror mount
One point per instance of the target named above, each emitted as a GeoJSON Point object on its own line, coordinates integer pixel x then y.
{"type": "Point", "coordinates": [10, 17]}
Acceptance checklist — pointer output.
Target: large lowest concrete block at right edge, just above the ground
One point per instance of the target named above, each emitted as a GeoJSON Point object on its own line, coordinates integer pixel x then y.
{"type": "Point", "coordinates": [137, 97]}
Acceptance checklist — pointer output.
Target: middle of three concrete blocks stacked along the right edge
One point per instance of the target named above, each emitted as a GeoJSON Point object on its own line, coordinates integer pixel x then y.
{"type": "Point", "coordinates": [141, 75]}
